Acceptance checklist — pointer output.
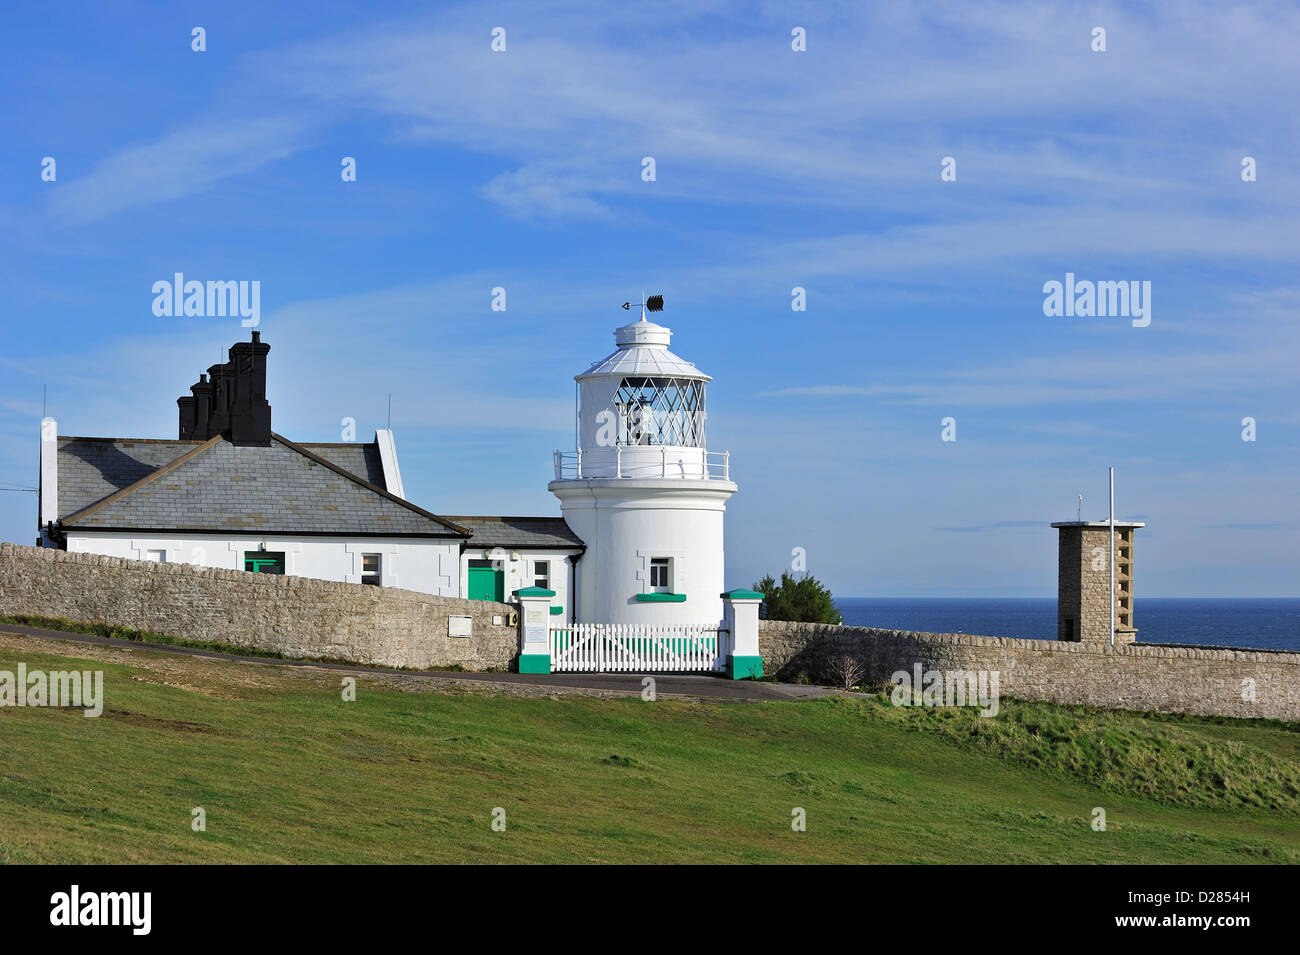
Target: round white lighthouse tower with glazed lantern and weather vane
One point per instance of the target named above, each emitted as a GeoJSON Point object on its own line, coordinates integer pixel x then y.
{"type": "Point", "coordinates": [643, 490]}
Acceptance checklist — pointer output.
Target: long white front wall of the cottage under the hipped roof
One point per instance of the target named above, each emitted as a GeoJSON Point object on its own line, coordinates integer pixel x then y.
{"type": "Point", "coordinates": [424, 566]}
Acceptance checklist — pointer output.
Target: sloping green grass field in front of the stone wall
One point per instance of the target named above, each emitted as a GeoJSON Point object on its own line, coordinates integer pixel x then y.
{"type": "Point", "coordinates": [287, 771]}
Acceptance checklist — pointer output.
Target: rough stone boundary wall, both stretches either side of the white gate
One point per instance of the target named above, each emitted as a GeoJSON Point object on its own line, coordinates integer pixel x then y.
{"type": "Point", "coordinates": [398, 628]}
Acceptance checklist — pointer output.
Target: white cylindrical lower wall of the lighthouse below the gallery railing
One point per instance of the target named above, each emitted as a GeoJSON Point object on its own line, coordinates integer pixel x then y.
{"type": "Point", "coordinates": [627, 523]}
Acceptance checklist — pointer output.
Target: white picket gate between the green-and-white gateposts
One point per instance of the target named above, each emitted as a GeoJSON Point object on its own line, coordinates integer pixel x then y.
{"type": "Point", "coordinates": [621, 648]}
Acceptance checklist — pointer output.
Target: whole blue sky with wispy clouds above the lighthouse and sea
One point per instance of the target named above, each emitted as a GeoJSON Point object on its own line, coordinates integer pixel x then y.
{"type": "Point", "coordinates": [775, 170]}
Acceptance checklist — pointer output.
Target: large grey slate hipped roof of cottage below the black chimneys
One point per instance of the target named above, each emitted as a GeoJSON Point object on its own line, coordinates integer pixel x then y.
{"type": "Point", "coordinates": [218, 487]}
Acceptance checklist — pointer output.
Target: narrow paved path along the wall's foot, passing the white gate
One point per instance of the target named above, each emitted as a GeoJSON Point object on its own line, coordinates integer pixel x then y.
{"type": "Point", "coordinates": [666, 684]}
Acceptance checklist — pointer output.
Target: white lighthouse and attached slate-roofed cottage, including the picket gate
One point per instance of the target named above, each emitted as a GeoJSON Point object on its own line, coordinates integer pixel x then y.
{"type": "Point", "coordinates": [631, 572]}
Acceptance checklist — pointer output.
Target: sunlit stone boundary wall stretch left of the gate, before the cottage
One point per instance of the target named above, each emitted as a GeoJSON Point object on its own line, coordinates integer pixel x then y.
{"type": "Point", "coordinates": [296, 617]}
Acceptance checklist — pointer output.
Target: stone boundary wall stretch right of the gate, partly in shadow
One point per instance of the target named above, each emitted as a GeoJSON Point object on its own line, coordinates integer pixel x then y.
{"type": "Point", "coordinates": [1138, 676]}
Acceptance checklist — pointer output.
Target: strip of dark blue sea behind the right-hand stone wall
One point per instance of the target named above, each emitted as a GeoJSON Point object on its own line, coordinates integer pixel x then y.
{"type": "Point", "coordinates": [1255, 623]}
